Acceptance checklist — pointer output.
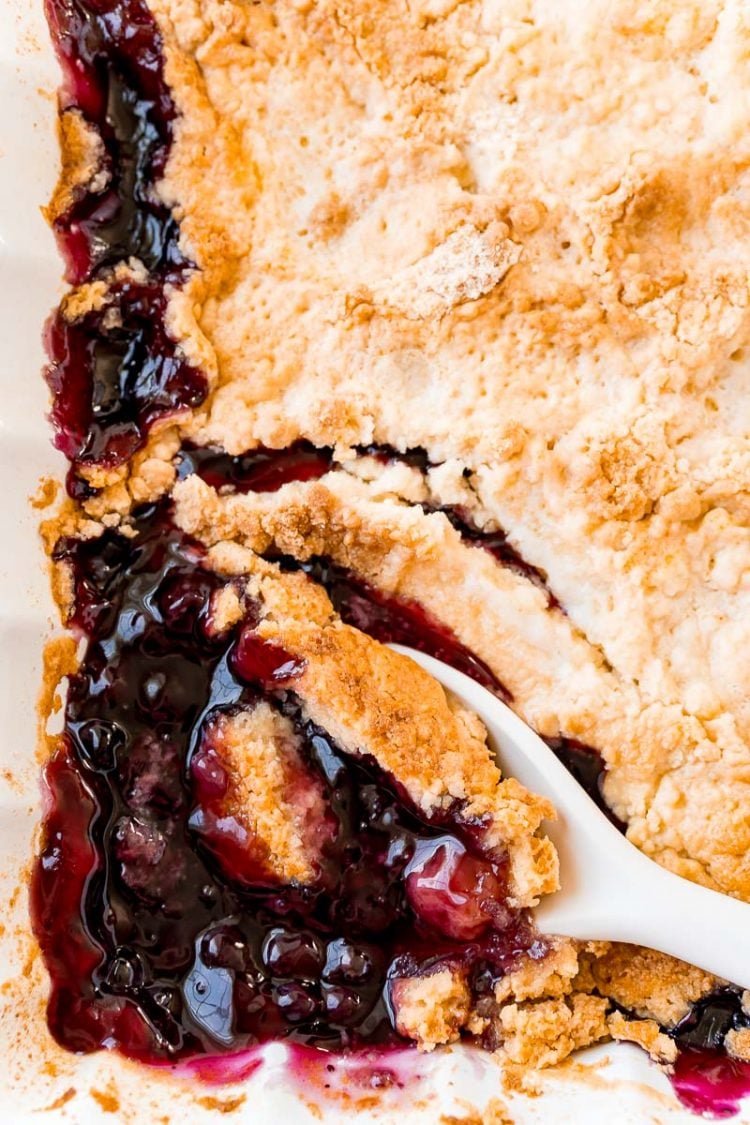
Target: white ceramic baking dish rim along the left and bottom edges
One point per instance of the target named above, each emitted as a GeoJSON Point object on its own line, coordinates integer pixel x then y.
{"type": "Point", "coordinates": [37, 1076]}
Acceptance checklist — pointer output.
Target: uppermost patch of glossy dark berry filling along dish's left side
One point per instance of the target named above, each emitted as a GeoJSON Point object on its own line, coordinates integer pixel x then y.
{"type": "Point", "coordinates": [111, 55]}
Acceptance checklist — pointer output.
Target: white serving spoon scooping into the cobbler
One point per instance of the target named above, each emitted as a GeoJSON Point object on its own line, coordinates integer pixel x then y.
{"type": "Point", "coordinates": [610, 890]}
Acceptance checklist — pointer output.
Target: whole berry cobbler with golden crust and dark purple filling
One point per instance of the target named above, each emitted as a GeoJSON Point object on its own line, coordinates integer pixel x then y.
{"type": "Point", "coordinates": [422, 323]}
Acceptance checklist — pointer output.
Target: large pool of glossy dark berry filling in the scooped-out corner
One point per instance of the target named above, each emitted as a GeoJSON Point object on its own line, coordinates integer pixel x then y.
{"type": "Point", "coordinates": [152, 944]}
